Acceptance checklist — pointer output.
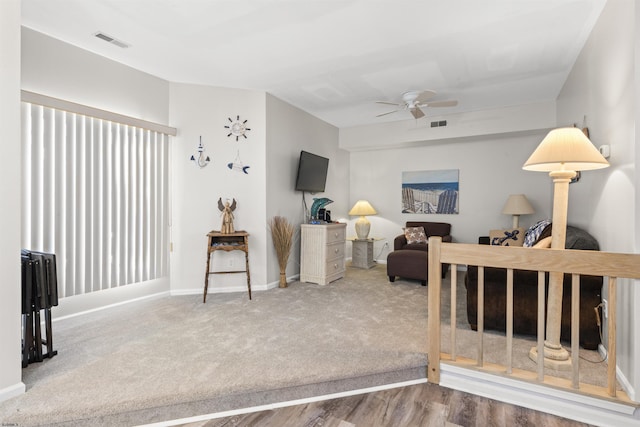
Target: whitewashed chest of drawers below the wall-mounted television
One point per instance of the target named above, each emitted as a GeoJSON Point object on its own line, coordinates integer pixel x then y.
{"type": "Point", "coordinates": [322, 252]}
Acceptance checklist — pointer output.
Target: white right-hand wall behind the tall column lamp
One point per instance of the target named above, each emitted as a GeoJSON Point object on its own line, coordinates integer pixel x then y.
{"type": "Point", "coordinates": [602, 87]}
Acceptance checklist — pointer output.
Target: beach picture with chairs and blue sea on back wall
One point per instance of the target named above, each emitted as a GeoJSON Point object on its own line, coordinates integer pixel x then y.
{"type": "Point", "coordinates": [430, 192]}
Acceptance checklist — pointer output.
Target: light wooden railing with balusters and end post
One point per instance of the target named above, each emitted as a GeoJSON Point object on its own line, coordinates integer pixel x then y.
{"type": "Point", "coordinates": [574, 262]}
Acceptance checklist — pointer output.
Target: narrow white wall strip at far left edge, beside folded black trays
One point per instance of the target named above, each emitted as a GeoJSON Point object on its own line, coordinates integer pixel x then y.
{"type": "Point", "coordinates": [10, 360]}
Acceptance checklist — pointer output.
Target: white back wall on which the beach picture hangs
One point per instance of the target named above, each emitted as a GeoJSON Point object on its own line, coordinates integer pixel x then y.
{"type": "Point", "coordinates": [490, 168]}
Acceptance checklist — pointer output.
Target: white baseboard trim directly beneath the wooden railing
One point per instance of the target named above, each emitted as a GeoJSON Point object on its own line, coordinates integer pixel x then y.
{"type": "Point", "coordinates": [540, 398]}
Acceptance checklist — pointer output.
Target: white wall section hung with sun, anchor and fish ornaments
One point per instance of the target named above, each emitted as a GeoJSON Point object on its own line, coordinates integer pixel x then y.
{"type": "Point", "coordinates": [204, 111]}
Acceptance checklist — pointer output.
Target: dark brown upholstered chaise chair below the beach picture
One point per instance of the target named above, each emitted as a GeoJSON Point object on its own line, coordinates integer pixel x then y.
{"type": "Point", "coordinates": [410, 261]}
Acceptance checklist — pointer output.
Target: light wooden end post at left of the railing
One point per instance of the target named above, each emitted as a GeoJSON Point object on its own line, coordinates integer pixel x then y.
{"type": "Point", "coordinates": [433, 322]}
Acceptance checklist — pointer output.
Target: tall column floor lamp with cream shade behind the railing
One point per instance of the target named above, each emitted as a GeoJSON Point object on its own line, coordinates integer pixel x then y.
{"type": "Point", "coordinates": [562, 153]}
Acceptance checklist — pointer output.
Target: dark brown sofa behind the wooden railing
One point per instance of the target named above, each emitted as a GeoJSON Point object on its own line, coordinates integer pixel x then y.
{"type": "Point", "coordinates": [525, 296]}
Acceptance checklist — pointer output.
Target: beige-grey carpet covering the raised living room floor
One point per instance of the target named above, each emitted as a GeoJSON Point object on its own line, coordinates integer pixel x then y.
{"type": "Point", "coordinates": [173, 357]}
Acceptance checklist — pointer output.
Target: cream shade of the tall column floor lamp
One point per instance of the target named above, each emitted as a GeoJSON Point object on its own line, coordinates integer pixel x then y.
{"type": "Point", "coordinates": [565, 149]}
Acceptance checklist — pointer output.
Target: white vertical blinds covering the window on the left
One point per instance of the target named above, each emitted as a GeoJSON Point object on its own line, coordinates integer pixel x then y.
{"type": "Point", "coordinates": [95, 193]}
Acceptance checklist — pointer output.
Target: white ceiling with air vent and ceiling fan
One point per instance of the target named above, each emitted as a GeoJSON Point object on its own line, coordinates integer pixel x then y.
{"type": "Point", "coordinates": [335, 58]}
